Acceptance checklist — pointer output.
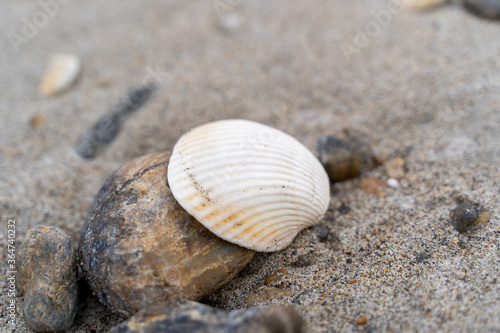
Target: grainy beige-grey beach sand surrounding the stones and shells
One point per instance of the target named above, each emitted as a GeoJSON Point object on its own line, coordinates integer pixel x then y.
{"type": "Point", "coordinates": [423, 86]}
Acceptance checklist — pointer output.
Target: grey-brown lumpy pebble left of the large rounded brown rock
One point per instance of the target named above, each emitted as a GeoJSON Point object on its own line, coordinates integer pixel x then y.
{"type": "Point", "coordinates": [47, 276]}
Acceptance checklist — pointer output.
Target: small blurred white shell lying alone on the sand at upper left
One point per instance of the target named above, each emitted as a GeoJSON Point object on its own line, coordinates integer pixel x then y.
{"type": "Point", "coordinates": [62, 72]}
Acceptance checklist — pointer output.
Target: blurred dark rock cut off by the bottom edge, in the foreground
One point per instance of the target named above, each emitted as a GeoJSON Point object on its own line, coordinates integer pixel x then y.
{"type": "Point", "coordinates": [192, 317]}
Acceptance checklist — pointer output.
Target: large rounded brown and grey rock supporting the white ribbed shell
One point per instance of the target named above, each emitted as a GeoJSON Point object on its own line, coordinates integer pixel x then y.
{"type": "Point", "coordinates": [139, 246]}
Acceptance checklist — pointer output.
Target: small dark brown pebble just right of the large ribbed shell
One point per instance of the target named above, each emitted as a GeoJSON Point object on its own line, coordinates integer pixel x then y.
{"type": "Point", "coordinates": [340, 159]}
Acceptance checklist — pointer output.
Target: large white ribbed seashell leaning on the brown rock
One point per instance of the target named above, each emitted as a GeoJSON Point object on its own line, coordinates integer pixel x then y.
{"type": "Point", "coordinates": [248, 183]}
